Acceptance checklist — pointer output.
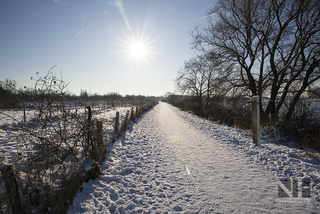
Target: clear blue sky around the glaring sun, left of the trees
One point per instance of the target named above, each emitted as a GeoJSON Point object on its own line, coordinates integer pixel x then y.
{"type": "Point", "coordinates": [90, 42]}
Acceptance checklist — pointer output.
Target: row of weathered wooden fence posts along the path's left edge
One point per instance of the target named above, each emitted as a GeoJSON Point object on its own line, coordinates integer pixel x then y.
{"type": "Point", "coordinates": [96, 147]}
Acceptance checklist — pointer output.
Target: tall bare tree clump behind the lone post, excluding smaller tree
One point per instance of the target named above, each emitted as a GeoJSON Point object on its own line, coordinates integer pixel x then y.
{"type": "Point", "coordinates": [274, 45]}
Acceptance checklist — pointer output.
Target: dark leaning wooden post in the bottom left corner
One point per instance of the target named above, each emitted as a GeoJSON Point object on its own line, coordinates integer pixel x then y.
{"type": "Point", "coordinates": [16, 200]}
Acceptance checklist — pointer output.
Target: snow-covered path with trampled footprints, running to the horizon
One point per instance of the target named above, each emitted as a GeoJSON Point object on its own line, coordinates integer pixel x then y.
{"type": "Point", "coordinates": [171, 161]}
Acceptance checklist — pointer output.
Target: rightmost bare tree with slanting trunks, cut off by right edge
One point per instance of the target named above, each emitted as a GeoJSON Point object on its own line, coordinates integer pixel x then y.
{"type": "Point", "coordinates": [294, 51]}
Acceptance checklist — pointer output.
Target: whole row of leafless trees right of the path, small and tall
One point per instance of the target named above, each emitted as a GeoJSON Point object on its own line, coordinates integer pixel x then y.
{"type": "Point", "coordinates": [269, 48]}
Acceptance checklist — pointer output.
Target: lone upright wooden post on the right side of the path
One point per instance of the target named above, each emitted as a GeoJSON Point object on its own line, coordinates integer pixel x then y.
{"type": "Point", "coordinates": [256, 120]}
